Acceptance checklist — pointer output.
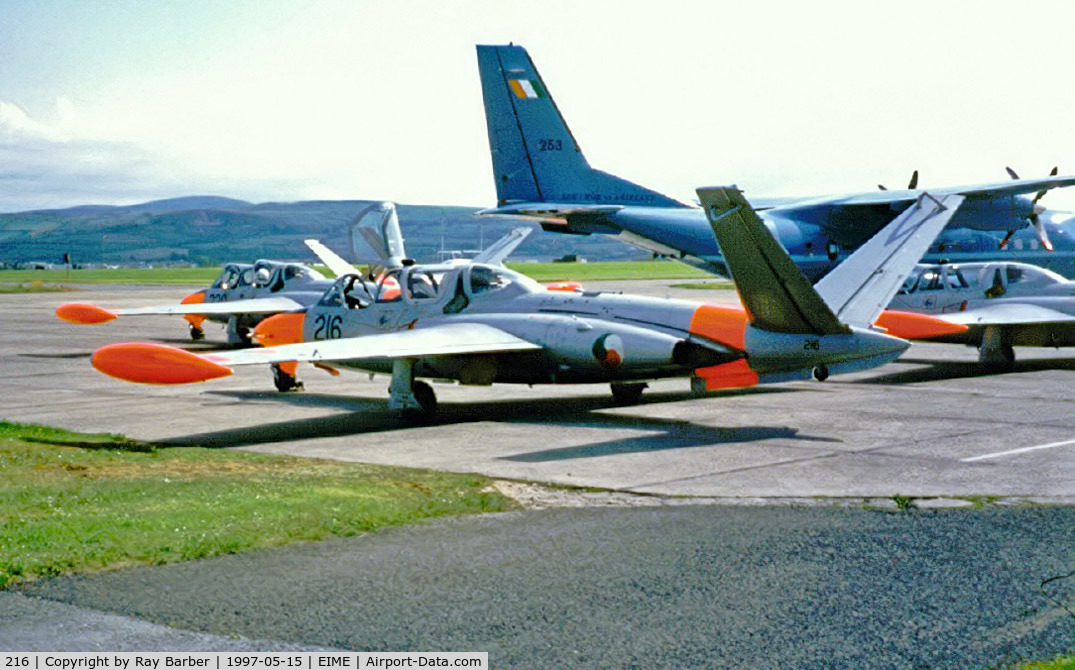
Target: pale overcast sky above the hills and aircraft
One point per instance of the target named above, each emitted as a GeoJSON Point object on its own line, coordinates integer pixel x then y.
{"type": "Point", "coordinates": [126, 102]}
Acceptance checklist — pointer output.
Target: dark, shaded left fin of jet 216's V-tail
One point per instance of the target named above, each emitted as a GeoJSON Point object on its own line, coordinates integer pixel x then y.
{"type": "Point", "coordinates": [777, 295]}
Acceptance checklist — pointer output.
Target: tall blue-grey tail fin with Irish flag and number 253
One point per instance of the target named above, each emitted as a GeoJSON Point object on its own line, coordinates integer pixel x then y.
{"type": "Point", "coordinates": [535, 156]}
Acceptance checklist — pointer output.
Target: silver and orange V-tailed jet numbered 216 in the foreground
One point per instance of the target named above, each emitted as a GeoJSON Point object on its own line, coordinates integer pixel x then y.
{"type": "Point", "coordinates": [482, 324]}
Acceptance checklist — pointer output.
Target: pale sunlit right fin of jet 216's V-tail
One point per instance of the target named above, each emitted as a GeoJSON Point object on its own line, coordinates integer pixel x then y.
{"type": "Point", "coordinates": [885, 261]}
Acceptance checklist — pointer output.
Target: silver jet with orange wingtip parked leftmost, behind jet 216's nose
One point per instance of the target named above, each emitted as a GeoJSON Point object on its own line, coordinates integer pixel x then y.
{"type": "Point", "coordinates": [240, 298]}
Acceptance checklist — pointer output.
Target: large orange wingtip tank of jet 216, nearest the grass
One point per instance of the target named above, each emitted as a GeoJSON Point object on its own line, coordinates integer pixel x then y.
{"type": "Point", "coordinates": [155, 364]}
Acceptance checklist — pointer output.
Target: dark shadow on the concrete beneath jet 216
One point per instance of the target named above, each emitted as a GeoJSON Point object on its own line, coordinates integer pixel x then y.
{"type": "Point", "coordinates": [367, 417]}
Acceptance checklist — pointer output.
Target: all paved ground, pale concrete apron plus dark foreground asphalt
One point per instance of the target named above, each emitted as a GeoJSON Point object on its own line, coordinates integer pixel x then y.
{"type": "Point", "coordinates": [730, 585]}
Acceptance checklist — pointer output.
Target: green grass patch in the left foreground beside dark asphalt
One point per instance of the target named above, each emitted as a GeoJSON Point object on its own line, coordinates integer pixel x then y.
{"type": "Point", "coordinates": [73, 503]}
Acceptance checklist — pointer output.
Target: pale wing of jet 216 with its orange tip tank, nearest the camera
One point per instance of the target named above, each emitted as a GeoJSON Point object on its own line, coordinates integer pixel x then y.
{"type": "Point", "coordinates": [159, 364]}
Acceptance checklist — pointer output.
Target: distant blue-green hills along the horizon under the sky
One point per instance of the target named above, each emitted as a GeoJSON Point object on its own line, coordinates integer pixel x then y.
{"type": "Point", "coordinates": [212, 230]}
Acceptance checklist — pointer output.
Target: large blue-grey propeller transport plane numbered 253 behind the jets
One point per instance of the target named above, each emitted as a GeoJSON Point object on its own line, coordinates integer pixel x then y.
{"type": "Point", "coordinates": [541, 175]}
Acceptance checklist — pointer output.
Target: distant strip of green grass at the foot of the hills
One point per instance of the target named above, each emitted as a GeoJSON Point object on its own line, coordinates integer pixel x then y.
{"type": "Point", "coordinates": [203, 277]}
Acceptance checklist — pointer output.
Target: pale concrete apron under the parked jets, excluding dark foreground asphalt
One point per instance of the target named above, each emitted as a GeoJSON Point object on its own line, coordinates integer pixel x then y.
{"type": "Point", "coordinates": [933, 424]}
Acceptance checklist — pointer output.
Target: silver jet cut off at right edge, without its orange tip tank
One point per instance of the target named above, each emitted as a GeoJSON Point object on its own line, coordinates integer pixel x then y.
{"type": "Point", "coordinates": [1005, 305]}
